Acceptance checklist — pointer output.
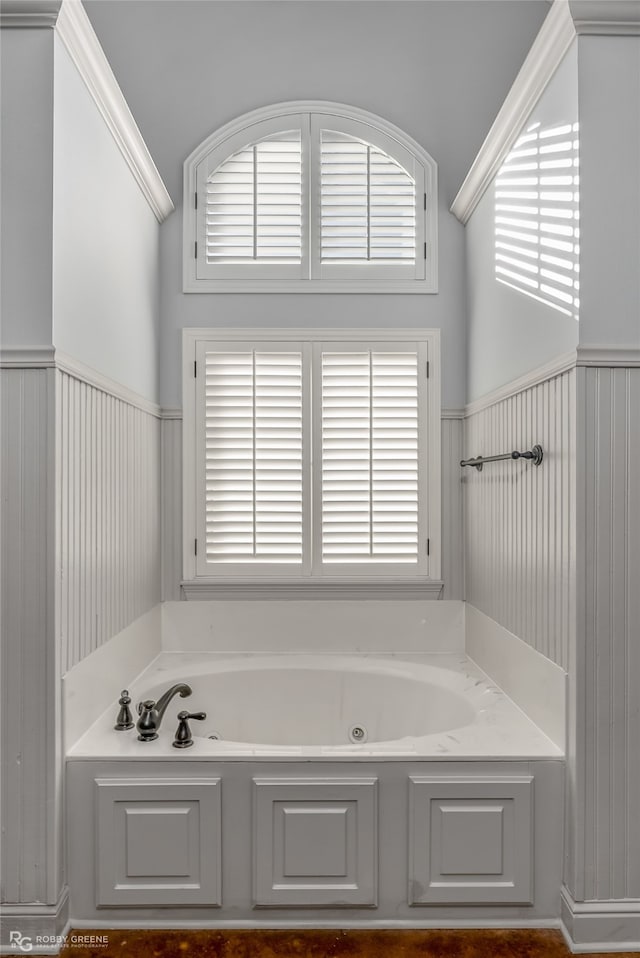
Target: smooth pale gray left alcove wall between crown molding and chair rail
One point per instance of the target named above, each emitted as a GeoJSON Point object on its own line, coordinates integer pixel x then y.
{"type": "Point", "coordinates": [105, 245]}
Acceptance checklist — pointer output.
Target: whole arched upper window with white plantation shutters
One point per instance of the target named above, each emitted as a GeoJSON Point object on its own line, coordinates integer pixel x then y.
{"type": "Point", "coordinates": [310, 197]}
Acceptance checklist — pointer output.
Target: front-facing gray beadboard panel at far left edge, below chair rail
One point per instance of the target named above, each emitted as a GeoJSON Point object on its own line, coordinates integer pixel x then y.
{"type": "Point", "coordinates": [30, 698]}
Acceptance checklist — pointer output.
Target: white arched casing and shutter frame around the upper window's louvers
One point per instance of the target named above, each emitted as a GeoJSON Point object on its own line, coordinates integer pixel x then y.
{"type": "Point", "coordinates": [222, 143]}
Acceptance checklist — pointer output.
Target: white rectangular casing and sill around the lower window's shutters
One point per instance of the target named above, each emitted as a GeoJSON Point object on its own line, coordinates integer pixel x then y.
{"type": "Point", "coordinates": [330, 584]}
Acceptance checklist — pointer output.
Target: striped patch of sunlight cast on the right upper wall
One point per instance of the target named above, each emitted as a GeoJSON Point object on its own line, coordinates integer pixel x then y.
{"type": "Point", "coordinates": [536, 217]}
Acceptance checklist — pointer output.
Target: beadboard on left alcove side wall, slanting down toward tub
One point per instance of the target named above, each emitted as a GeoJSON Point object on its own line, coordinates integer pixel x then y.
{"type": "Point", "coordinates": [108, 515]}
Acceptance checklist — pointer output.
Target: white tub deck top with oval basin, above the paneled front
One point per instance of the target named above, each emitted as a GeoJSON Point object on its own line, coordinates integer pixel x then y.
{"type": "Point", "coordinates": [464, 715]}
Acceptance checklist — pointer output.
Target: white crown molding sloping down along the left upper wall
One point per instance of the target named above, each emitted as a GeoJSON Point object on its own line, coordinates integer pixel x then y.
{"type": "Point", "coordinates": [74, 29]}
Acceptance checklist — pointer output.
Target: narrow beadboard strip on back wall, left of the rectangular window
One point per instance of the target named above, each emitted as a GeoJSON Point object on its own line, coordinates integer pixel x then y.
{"type": "Point", "coordinates": [171, 481]}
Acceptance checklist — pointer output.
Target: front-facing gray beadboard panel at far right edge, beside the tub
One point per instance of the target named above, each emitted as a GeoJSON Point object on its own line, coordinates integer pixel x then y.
{"type": "Point", "coordinates": [606, 860]}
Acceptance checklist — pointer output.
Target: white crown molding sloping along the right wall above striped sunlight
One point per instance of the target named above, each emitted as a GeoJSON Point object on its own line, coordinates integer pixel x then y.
{"type": "Point", "coordinates": [549, 48]}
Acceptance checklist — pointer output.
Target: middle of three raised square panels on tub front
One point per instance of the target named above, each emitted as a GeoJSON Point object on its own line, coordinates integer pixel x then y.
{"type": "Point", "coordinates": [315, 842]}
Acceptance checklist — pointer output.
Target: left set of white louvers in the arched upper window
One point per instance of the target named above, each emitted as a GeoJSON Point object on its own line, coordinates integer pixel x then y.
{"type": "Point", "coordinates": [254, 204]}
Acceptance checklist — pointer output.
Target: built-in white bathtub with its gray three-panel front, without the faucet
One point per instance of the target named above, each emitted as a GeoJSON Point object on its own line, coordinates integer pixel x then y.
{"type": "Point", "coordinates": [332, 784]}
